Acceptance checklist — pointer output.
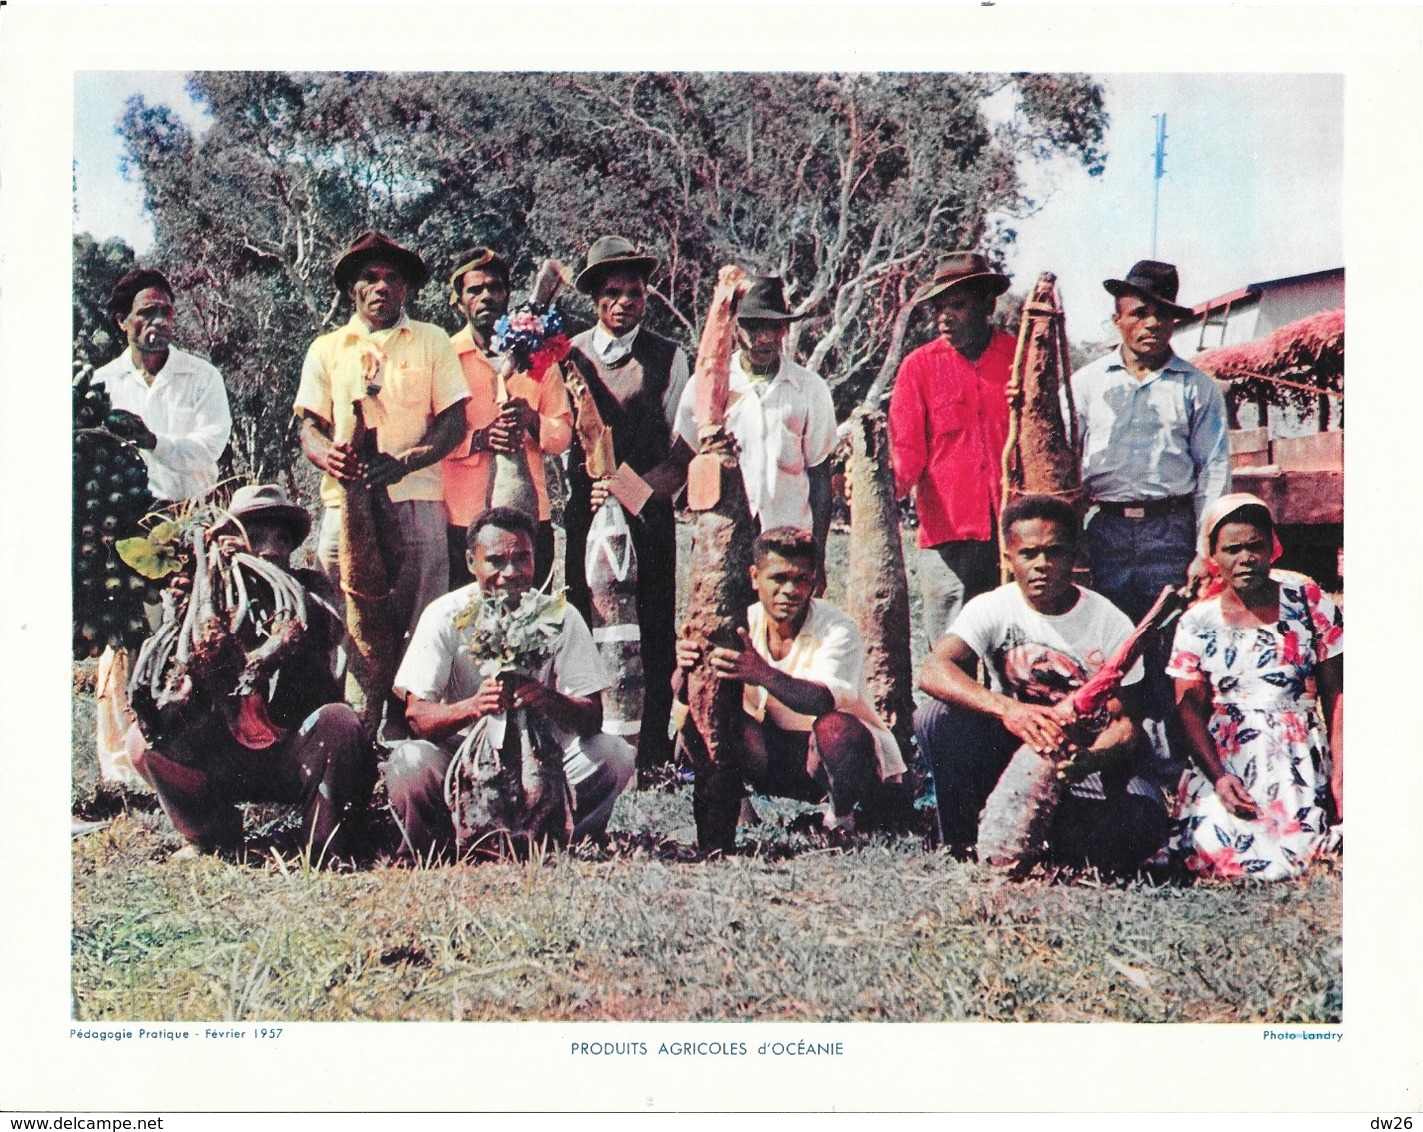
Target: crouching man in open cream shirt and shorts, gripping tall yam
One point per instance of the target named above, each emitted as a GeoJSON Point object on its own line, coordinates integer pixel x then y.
{"type": "Point", "coordinates": [812, 729]}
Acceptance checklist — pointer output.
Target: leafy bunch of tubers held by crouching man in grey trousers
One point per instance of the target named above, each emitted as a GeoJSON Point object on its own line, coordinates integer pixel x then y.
{"type": "Point", "coordinates": [506, 786]}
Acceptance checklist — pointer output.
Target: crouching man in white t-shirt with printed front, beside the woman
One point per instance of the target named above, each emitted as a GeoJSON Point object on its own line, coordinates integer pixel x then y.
{"type": "Point", "coordinates": [1041, 638]}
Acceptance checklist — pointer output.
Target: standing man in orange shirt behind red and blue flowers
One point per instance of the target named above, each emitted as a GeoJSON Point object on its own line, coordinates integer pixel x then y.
{"type": "Point", "coordinates": [536, 419]}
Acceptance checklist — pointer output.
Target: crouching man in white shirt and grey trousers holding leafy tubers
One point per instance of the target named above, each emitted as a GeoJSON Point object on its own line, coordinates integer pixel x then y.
{"type": "Point", "coordinates": [445, 696]}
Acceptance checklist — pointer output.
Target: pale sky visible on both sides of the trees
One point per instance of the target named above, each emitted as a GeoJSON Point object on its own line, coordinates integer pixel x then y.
{"type": "Point", "coordinates": [1253, 186]}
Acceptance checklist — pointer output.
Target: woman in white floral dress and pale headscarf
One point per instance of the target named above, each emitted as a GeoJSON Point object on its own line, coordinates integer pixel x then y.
{"type": "Point", "coordinates": [1252, 662]}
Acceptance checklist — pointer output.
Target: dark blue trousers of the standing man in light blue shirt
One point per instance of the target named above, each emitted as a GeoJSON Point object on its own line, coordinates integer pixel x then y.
{"type": "Point", "coordinates": [1132, 561]}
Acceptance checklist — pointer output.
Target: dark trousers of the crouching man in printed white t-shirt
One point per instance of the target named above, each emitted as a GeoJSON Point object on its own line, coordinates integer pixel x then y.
{"type": "Point", "coordinates": [968, 753]}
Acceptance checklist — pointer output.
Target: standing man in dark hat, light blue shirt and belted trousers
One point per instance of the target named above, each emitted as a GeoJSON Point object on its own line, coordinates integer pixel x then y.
{"type": "Point", "coordinates": [1155, 457]}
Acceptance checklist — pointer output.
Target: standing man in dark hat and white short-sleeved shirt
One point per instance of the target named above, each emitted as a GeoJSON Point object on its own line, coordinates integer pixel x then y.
{"type": "Point", "coordinates": [782, 416]}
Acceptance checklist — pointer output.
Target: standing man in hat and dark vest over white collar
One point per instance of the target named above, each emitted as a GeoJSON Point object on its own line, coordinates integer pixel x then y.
{"type": "Point", "coordinates": [637, 380]}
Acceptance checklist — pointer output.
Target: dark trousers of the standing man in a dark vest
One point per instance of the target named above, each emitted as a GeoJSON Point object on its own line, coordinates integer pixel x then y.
{"type": "Point", "coordinates": [655, 541]}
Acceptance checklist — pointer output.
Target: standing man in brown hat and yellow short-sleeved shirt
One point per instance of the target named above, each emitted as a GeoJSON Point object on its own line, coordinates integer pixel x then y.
{"type": "Point", "coordinates": [411, 388]}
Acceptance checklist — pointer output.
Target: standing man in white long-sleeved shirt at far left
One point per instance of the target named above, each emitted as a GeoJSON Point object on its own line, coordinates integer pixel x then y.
{"type": "Point", "coordinates": [167, 402]}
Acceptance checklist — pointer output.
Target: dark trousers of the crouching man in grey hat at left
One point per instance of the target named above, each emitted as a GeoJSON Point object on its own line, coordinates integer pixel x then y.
{"type": "Point", "coordinates": [324, 767]}
